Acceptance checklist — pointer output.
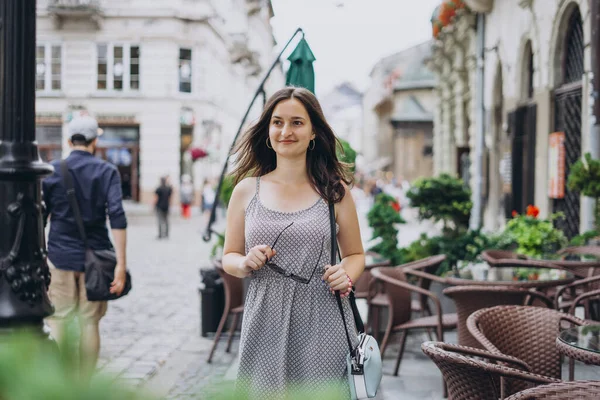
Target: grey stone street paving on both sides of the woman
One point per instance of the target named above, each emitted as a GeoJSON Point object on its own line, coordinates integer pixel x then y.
{"type": "Point", "coordinates": [151, 338]}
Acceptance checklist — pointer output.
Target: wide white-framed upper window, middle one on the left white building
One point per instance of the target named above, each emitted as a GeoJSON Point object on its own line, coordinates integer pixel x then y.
{"type": "Point", "coordinates": [118, 67]}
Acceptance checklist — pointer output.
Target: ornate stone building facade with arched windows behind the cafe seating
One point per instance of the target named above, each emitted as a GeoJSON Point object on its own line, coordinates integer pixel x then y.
{"type": "Point", "coordinates": [536, 81]}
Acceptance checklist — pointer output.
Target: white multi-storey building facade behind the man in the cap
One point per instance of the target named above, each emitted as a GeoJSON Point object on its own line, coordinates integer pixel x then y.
{"type": "Point", "coordinates": [161, 77]}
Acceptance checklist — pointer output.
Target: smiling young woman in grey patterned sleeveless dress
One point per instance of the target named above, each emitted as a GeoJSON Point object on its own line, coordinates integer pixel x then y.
{"type": "Point", "coordinates": [278, 234]}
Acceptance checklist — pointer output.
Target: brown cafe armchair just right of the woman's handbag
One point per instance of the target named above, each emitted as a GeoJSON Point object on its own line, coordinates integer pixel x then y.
{"type": "Point", "coordinates": [399, 294]}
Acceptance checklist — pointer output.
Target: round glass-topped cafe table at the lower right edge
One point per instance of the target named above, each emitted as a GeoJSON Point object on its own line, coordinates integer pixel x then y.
{"type": "Point", "coordinates": [581, 343]}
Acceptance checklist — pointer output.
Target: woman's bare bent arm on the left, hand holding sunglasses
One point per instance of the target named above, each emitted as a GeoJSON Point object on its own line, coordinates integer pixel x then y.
{"type": "Point", "coordinates": [235, 261]}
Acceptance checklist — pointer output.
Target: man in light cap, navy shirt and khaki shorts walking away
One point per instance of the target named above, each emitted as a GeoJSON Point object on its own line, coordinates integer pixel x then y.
{"type": "Point", "coordinates": [97, 188]}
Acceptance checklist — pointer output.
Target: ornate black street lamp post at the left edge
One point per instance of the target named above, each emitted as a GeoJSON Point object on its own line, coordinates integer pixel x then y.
{"type": "Point", "coordinates": [24, 275]}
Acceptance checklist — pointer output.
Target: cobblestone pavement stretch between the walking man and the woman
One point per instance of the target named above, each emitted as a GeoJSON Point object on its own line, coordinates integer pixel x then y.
{"type": "Point", "coordinates": [159, 321]}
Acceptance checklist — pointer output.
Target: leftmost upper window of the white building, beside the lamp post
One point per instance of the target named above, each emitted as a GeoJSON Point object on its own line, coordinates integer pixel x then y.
{"type": "Point", "coordinates": [48, 67]}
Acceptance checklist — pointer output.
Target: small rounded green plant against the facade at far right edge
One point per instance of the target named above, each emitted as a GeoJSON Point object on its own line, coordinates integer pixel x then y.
{"type": "Point", "coordinates": [585, 178]}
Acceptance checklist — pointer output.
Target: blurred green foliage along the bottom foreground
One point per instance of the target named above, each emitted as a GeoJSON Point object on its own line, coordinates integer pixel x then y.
{"type": "Point", "coordinates": [32, 368]}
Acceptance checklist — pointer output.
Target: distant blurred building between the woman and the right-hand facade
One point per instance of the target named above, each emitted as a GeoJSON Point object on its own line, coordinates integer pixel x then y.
{"type": "Point", "coordinates": [398, 114]}
